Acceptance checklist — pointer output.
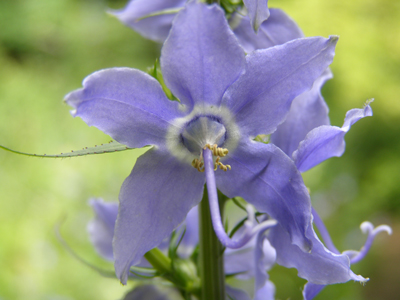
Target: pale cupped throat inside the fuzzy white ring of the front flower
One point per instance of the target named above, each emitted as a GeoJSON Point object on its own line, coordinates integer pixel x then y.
{"type": "Point", "coordinates": [202, 131]}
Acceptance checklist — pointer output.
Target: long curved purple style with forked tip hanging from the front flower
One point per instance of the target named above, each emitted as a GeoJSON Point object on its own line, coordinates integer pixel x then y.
{"type": "Point", "coordinates": [250, 229]}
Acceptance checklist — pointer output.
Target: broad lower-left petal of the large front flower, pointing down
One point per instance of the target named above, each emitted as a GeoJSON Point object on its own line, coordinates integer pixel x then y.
{"type": "Point", "coordinates": [154, 200]}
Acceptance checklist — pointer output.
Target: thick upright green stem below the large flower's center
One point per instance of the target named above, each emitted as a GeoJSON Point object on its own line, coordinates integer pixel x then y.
{"type": "Point", "coordinates": [211, 260]}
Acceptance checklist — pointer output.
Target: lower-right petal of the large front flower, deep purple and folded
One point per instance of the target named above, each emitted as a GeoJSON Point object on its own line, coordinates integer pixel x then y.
{"type": "Point", "coordinates": [265, 177]}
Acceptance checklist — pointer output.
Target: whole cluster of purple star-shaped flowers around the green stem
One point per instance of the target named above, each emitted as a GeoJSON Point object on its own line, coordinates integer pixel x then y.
{"type": "Point", "coordinates": [237, 108]}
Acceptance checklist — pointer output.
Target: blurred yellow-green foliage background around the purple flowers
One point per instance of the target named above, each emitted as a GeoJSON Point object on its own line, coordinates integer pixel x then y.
{"type": "Point", "coordinates": [47, 47]}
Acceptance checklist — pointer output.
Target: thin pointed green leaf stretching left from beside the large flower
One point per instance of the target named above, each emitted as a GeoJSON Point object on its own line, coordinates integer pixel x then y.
{"type": "Point", "coordinates": [110, 147]}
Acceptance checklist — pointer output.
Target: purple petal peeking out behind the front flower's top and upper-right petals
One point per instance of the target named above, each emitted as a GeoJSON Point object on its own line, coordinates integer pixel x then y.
{"type": "Point", "coordinates": [278, 29]}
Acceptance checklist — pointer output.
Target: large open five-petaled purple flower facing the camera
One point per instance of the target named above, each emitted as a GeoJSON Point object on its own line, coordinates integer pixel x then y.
{"type": "Point", "coordinates": [226, 99]}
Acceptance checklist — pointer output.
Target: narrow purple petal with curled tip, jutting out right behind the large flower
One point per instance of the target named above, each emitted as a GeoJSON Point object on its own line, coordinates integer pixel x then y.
{"type": "Point", "coordinates": [326, 141]}
